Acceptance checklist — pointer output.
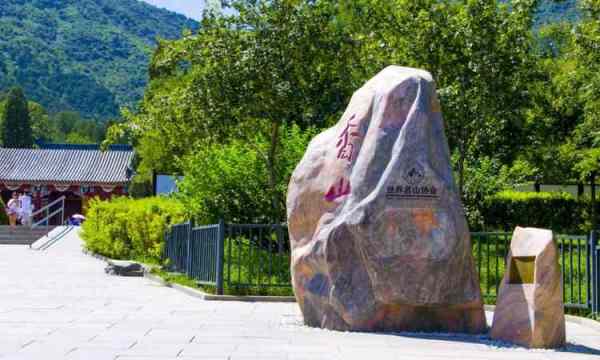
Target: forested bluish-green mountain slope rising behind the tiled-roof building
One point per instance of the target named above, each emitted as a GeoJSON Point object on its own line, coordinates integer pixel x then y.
{"type": "Point", "coordinates": [90, 56]}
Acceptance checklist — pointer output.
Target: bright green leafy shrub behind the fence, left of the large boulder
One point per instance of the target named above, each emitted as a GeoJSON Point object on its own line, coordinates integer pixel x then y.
{"type": "Point", "coordinates": [231, 181]}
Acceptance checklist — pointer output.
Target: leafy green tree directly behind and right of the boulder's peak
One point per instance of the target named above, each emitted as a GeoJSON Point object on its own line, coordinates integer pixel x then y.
{"type": "Point", "coordinates": [478, 51]}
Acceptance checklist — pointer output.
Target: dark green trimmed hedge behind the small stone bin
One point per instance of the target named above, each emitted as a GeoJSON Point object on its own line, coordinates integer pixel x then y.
{"type": "Point", "coordinates": [561, 212]}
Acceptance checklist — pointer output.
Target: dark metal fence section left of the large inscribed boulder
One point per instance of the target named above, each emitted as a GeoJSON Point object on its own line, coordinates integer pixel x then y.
{"type": "Point", "coordinates": [239, 256]}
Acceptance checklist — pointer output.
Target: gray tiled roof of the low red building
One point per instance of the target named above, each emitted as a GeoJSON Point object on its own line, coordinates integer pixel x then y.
{"type": "Point", "coordinates": [65, 165]}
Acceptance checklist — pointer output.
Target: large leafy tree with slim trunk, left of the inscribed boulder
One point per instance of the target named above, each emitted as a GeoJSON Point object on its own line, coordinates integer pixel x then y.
{"type": "Point", "coordinates": [275, 63]}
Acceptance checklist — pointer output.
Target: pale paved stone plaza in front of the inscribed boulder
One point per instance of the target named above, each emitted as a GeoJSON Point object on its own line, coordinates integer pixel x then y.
{"type": "Point", "coordinates": [59, 304]}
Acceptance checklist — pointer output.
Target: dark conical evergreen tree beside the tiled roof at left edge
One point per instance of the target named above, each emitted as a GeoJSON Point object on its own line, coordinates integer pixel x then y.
{"type": "Point", "coordinates": [15, 130]}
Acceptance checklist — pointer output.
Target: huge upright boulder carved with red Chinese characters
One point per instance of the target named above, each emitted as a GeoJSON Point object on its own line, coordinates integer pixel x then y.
{"type": "Point", "coordinates": [379, 237]}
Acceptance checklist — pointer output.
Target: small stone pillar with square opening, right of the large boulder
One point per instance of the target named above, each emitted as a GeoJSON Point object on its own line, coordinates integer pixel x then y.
{"type": "Point", "coordinates": [529, 308]}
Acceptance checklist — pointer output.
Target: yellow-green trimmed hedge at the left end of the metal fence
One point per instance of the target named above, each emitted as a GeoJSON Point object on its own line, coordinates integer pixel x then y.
{"type": "Point", "coordinates": [125, 228]}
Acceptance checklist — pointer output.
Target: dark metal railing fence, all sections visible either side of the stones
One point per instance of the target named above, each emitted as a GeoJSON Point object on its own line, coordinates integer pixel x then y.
{"type": "Point", "coordinates": [257, 256]}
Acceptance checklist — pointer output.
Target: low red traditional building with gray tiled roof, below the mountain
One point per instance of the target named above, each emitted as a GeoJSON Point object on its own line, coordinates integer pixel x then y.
{"type": "Point", "coordinates": [79, 172]}
